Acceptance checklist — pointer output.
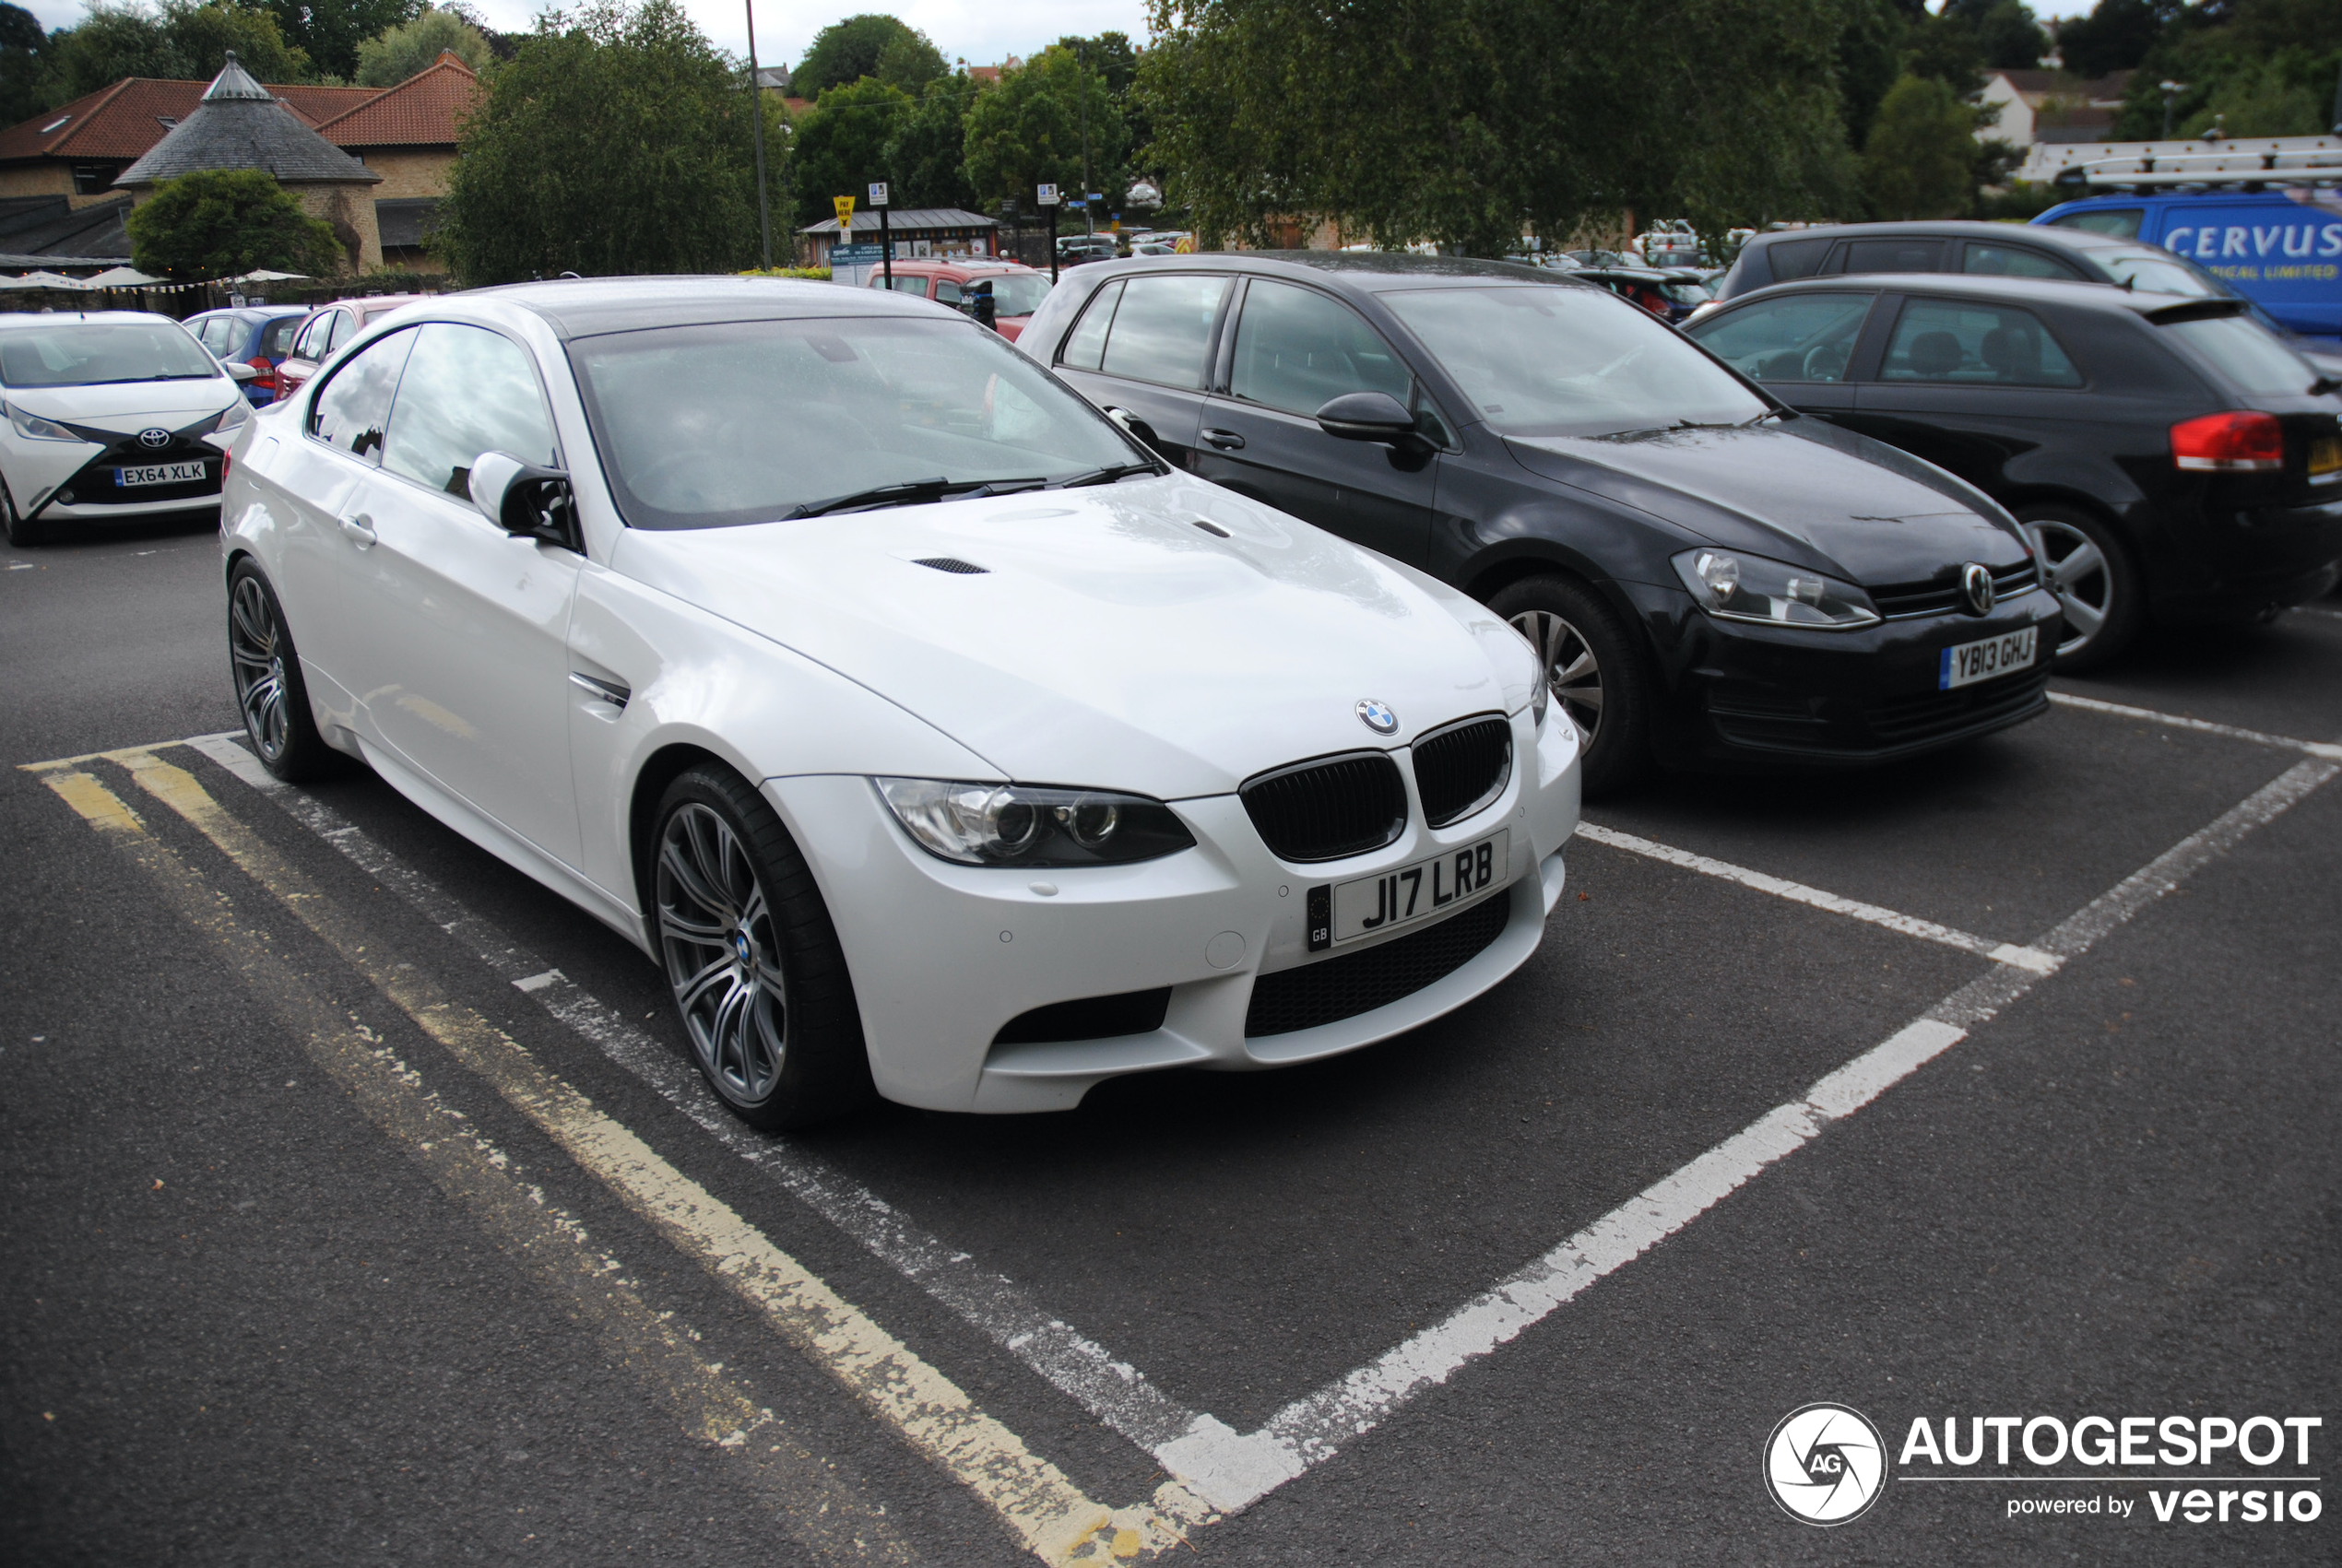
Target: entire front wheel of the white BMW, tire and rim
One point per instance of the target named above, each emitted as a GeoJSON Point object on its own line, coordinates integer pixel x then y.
{"type": "Point", "coordinates": [753, 958]}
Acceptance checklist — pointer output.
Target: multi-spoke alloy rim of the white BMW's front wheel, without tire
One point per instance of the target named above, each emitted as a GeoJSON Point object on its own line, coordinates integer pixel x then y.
{"type": "Point", "coordinates": [715, 930]}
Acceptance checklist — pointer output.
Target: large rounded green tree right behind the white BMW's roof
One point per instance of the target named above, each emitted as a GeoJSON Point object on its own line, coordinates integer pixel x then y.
{"type": "Point", "coordinates": [617, 142]}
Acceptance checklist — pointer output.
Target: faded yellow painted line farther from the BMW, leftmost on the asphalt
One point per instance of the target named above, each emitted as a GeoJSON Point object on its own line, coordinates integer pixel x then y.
{"type": "Point", "coordinates": [760, 1452]}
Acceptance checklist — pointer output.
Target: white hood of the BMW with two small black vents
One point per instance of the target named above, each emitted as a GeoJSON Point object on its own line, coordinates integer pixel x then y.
{"type": "Point", "coordinates": [1109, 642]}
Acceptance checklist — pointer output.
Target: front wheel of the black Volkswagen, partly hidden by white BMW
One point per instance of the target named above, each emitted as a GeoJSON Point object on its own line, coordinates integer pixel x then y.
{"type": "Point", "coordinates": [1594, 670]}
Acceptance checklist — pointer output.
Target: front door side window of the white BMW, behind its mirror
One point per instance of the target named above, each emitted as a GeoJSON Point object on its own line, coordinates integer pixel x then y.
{"type": "Point", "coordinates": [465, 392]}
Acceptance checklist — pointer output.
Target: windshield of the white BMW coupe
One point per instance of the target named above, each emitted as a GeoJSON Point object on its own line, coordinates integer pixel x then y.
{"type": "Point", "coordinates": [753, 420]}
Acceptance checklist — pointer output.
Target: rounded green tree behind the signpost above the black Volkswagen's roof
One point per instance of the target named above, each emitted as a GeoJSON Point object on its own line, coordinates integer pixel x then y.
{"type": "Point", "coordinates": [1029, 132]}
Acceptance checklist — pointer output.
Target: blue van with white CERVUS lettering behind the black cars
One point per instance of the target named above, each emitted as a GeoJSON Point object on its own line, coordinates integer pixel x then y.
{"type": "Point", "coordinates": [2280, 249]}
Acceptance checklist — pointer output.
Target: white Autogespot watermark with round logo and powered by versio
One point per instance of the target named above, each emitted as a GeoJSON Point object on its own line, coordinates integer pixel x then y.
{"type": "Point", "coordinates": [1826, 1464]}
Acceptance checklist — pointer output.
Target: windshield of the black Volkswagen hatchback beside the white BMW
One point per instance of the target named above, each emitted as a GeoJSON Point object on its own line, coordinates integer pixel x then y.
{"type": "Point", "coordinates": [1570, 362]}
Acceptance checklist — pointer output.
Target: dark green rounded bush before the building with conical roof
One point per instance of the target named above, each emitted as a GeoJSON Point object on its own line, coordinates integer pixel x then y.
{"type": "Point", "coordinates": [221, 223]}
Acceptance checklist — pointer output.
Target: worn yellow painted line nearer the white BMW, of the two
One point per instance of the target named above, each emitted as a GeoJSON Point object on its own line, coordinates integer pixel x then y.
{"type": "Point", "coordinates": [1032, 1497]}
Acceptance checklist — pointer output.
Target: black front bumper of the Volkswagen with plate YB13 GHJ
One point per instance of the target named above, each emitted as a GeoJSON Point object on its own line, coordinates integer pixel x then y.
{"type": "Point", "coordinates": [1755, 696]}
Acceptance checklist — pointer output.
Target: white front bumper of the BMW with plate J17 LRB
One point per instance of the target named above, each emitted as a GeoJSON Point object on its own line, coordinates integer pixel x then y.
{"type": "Point", "coordinates": [947, 956]}
